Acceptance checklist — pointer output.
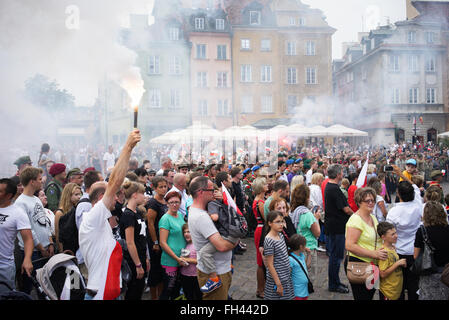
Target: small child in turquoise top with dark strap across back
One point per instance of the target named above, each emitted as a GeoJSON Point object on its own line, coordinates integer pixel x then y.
{"type": "Point", "coordinates": [297, 244]}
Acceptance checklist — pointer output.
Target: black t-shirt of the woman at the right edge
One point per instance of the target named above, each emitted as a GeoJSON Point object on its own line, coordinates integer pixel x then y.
{"type": "Point", "coordinates": [439, 239]}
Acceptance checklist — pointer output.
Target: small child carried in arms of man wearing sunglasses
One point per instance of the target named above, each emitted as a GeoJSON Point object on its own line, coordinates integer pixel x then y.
{"type": "Point", "coordinates": [207, 252]}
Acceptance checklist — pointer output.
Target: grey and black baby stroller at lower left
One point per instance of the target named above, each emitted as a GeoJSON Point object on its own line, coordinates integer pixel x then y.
{"type": "Point", "coordinates": [60, 279]}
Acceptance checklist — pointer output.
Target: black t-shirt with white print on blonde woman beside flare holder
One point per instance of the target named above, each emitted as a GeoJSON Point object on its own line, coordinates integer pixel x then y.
{"type": "Point", "coordinates": [136, 220]}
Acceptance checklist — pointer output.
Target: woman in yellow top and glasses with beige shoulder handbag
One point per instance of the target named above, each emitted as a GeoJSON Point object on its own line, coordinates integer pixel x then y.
{"type": "Point", "coordinates": [364, 246]}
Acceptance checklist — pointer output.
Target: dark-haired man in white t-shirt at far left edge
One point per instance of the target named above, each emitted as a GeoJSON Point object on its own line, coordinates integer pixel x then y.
{"type": "Point", "coordinates": [13, 220]}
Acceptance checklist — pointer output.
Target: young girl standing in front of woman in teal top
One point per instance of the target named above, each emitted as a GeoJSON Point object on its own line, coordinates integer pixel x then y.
{"type": "Point", "coordinates": [189, 278]}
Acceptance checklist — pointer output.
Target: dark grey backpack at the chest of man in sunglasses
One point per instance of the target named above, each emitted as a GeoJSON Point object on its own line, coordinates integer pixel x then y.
{"type": "Point", "coordinates": [234, 223]}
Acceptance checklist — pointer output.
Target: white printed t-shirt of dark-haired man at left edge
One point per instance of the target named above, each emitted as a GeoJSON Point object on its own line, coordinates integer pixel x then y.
{"type": "Point", "coordinates": [12, 220]}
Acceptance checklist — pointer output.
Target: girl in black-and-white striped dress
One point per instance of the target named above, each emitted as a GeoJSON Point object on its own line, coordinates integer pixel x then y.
{"type": "Point", "coordinates": [278, 285]}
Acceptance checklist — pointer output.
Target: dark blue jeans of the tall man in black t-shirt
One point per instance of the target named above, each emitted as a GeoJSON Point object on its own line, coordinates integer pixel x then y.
{"type": "Point", "coordinates": [336, 254]}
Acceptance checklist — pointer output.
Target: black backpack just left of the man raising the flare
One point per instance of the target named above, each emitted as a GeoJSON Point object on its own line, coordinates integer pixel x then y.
{"type": "Point", "coordinates": [68, 232]}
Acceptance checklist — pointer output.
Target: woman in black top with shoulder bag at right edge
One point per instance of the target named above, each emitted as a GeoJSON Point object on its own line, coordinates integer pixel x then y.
{"type": "Point", "coordinates": [435, 231]}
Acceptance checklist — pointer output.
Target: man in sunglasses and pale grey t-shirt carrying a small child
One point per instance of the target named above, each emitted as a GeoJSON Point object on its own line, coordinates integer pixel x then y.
{"type": "Point", "coordinates": [203, 231]}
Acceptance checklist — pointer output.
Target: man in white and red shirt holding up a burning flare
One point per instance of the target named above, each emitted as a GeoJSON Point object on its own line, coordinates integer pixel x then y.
{"type": "Point", "coordinates": [101, 252]}
